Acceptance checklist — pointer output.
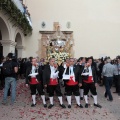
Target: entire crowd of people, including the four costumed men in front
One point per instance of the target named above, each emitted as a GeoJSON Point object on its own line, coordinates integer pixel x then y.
{"type": "Point", "coordinates": [76, 76]}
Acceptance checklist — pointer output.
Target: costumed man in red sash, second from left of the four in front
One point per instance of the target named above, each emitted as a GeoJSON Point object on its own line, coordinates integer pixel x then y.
{"type": "Point", "coordinates": [50, 81]}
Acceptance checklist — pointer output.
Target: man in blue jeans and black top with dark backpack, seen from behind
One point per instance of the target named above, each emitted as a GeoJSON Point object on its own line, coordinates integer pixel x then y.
{"type": "Point", "coordinates": [10, 69]}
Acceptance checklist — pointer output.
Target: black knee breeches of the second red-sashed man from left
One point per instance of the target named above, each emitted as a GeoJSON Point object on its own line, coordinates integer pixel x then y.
{"type": "Point", "coordinates": [54, 88]}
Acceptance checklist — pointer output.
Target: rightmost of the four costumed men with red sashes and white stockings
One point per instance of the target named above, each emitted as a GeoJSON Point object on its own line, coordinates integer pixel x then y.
{"type": "Point", "coordinates": [89, 80]}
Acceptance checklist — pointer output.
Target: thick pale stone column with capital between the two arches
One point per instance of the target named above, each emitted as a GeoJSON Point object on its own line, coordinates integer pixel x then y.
{"type": "Point", "coordinates": [8, 46]}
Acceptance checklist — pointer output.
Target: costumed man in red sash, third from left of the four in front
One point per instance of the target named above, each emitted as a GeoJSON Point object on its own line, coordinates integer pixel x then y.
{"type": "Point", "coordinates": [72, 76]}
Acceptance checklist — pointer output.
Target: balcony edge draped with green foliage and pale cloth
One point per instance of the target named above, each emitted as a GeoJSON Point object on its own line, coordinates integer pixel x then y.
{"type": "Point", "coordinates": [17, 12]}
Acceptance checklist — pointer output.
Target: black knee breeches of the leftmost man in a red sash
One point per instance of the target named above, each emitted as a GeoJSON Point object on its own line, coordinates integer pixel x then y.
{"type": "Point", "coordinates": [37, 87]}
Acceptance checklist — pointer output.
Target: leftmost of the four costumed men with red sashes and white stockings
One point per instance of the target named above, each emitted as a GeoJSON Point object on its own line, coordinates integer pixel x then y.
{"type": "Point", "coordinates": [33, 77]}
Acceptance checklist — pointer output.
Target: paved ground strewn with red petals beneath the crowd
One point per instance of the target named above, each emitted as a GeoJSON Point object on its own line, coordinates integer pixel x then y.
{"type": "Point", "coordinates": [21, 110]}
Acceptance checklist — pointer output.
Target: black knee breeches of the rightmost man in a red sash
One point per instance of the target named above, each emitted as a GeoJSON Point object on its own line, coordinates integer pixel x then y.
{"type": "Point", "coordinates": [91, 87]}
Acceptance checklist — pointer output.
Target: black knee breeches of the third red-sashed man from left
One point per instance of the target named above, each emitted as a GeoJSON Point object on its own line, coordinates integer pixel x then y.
{"type": "Point", "coordinates": [73, 89]}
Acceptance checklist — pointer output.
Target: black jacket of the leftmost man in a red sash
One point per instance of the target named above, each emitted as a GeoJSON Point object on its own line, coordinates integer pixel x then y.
{"type": "Point", "coordinates": [28, 71]}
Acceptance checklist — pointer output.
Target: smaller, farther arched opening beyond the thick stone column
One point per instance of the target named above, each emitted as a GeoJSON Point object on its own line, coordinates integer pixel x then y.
{"type": "Point", "coordinates": [18, 49]}
